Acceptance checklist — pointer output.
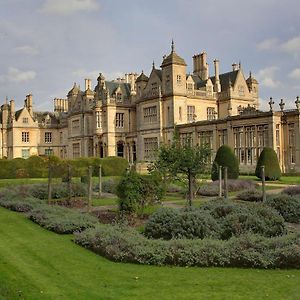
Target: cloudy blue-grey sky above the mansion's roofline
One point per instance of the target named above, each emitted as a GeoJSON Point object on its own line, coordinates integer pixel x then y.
{"type": "Point", "coordinates": [47, 45]}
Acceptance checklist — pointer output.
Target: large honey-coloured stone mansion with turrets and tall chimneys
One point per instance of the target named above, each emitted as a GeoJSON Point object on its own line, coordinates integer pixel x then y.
{"type": "Point", "coordinates": [130, 117]}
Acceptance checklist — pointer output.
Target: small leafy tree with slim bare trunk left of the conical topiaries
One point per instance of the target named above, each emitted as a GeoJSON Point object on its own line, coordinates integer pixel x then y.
{"type": "Point", "coordinates": [183, 158]}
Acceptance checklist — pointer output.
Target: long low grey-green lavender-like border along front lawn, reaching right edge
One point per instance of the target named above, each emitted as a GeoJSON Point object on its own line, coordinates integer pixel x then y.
{"type": "Point", "coordinates": [127, 245]}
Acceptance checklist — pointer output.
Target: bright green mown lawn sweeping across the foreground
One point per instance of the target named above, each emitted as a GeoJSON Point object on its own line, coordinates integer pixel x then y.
{"type": "Point", "coordinates": [38, 264]}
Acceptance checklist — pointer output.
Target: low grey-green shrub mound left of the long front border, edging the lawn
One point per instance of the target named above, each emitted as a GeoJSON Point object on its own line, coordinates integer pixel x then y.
{"type": "Point", "coordinates": [60, 219]}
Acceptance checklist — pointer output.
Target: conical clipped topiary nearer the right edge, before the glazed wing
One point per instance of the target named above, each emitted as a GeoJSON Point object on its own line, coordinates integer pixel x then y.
{"type": "Point", "coordinates": [268, 158]}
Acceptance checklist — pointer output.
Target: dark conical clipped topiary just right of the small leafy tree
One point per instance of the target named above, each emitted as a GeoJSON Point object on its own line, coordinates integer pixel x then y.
{"type": "Point", "coordinates": [225, 157]}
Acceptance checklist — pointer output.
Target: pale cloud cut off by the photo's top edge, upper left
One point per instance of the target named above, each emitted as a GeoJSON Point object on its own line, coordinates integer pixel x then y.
{"type": "Point", "coordinates": [68, 7]}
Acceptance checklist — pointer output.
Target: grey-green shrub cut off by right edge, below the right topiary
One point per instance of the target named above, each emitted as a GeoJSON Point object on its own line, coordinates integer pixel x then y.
{"type": "Point", "coordinates": [288, 206]}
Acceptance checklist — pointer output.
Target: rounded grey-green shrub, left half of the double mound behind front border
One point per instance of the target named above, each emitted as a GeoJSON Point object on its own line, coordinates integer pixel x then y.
{"type": "Point", "coordinates": [168, 223]}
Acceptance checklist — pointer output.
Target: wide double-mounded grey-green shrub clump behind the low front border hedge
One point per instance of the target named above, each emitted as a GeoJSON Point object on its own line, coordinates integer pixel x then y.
{"type": "Point", "coordinates": [219, 219]}
